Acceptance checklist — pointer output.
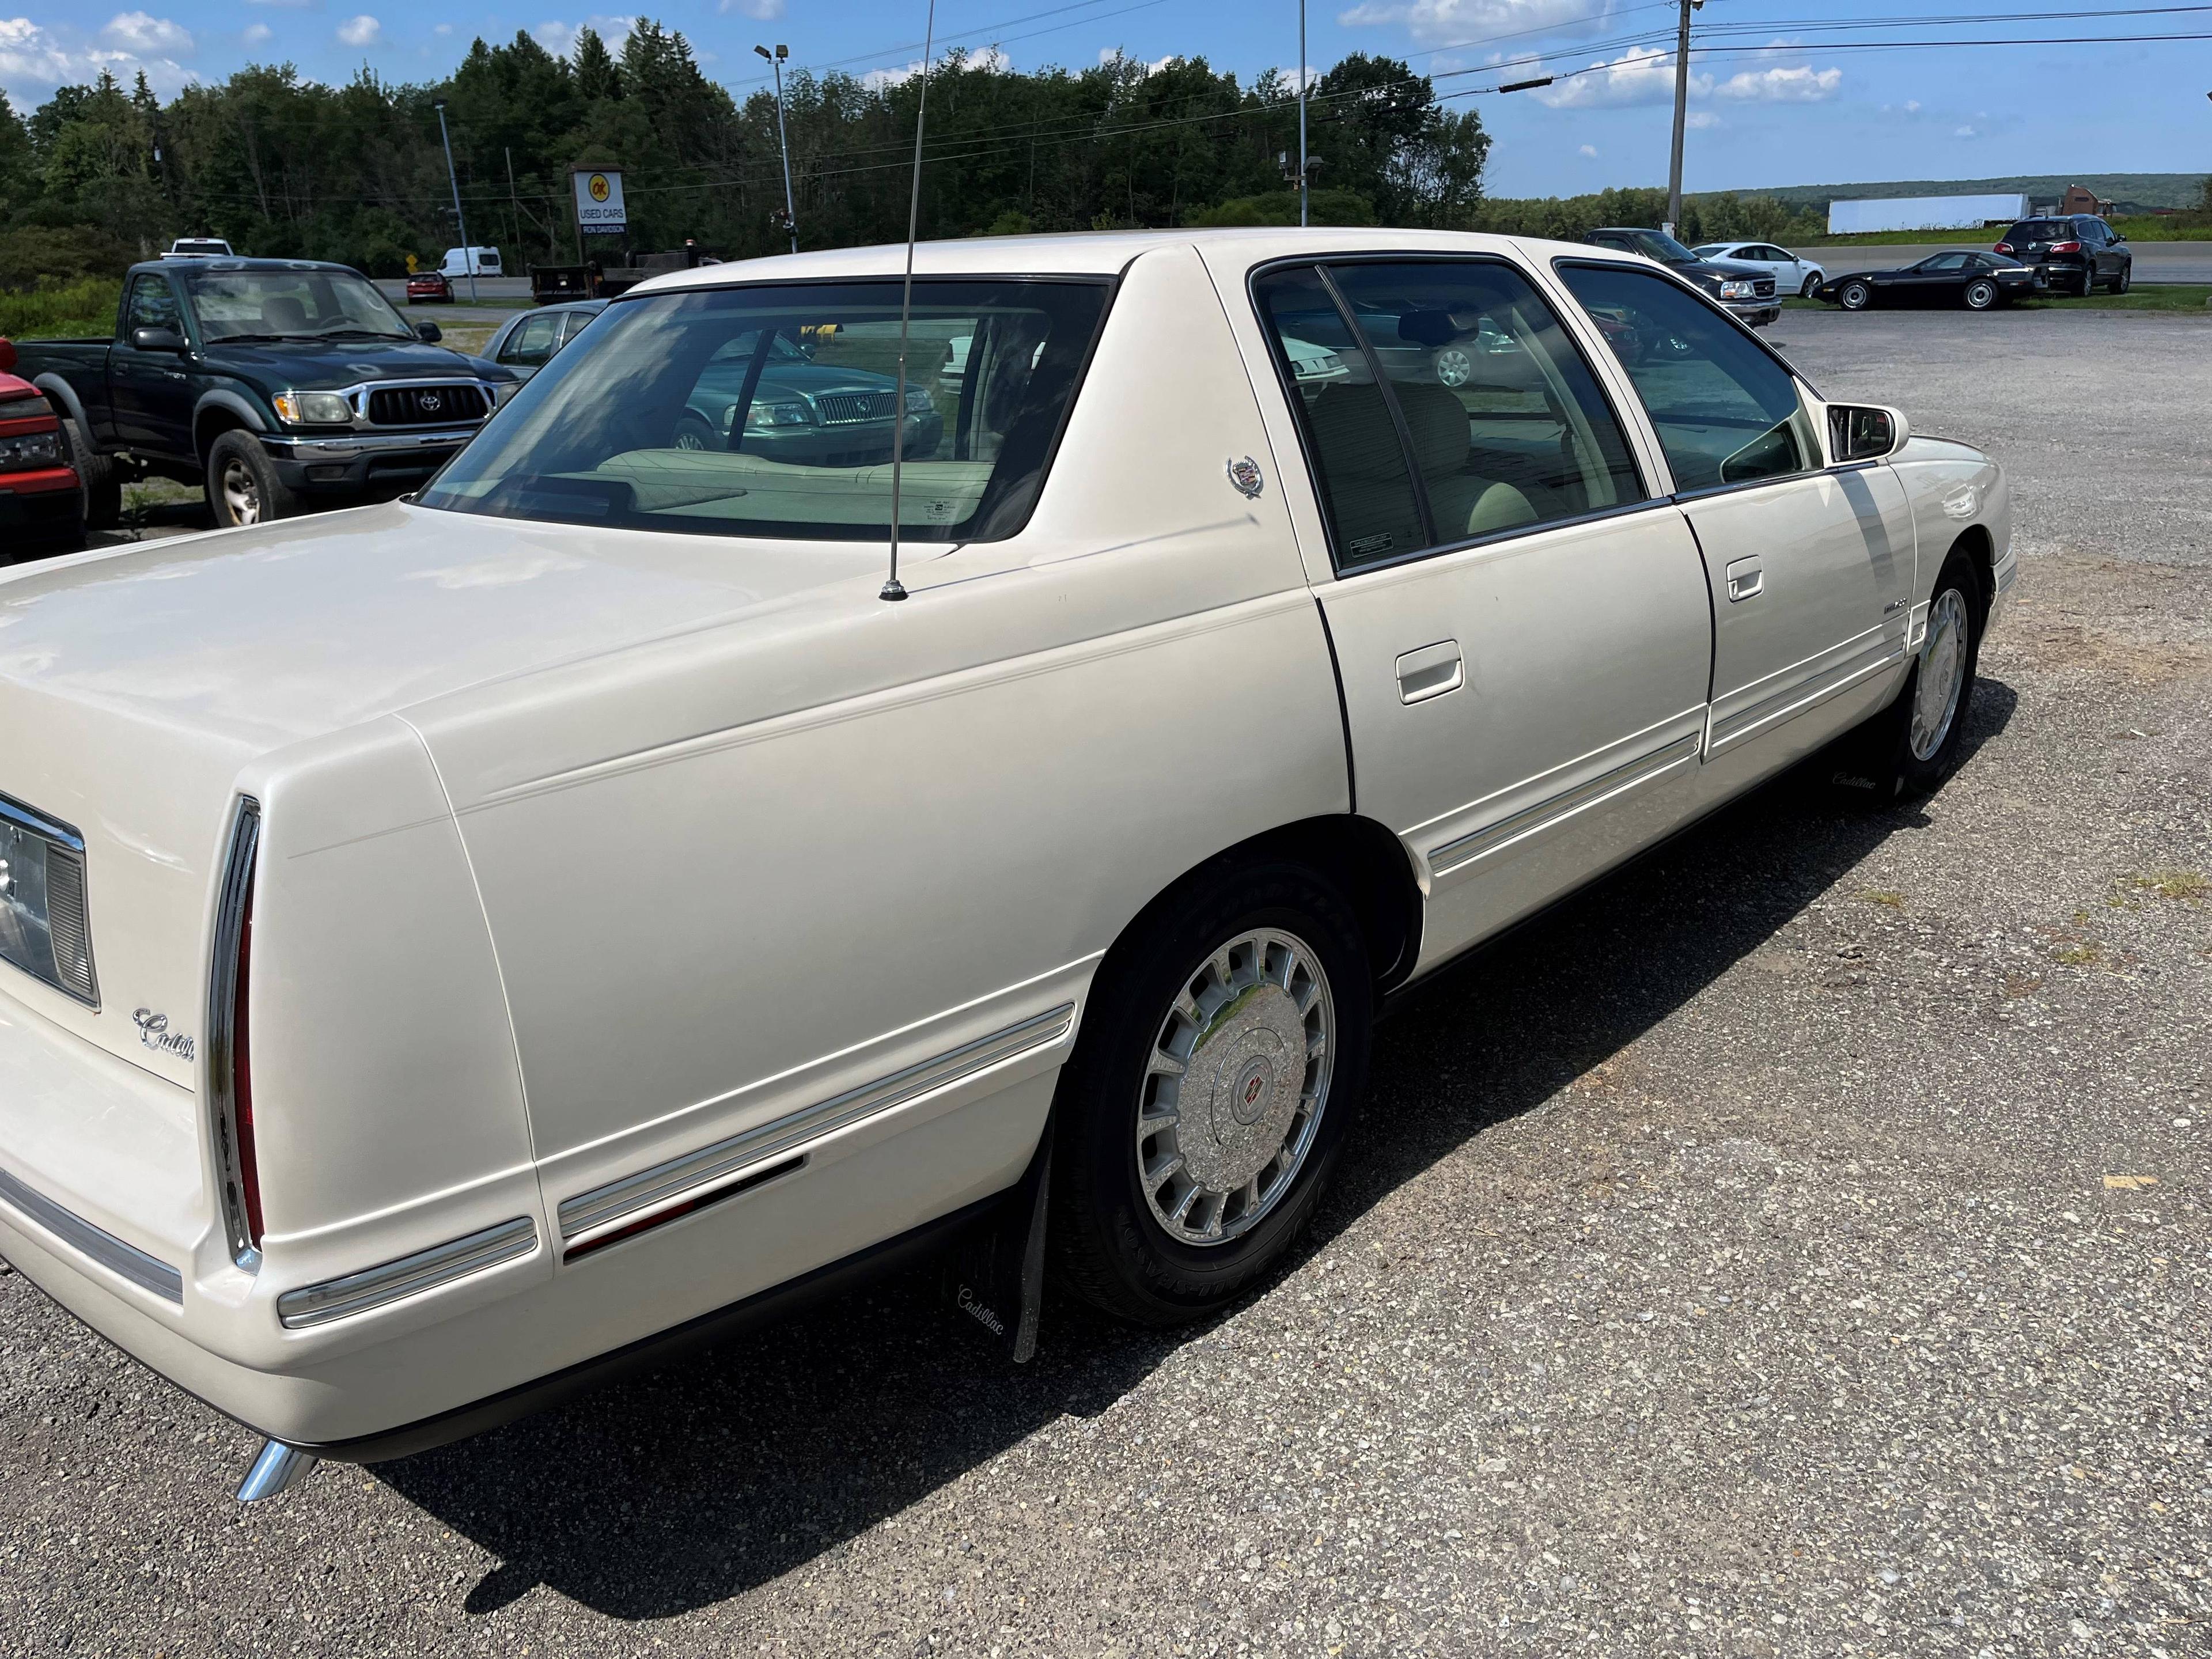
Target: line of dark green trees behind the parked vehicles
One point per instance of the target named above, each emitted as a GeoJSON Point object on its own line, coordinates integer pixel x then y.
{"type": "Point", "coordinates": [289, 167]}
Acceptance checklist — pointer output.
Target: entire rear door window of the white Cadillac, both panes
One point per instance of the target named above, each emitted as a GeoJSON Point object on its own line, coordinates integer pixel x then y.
{"type": "Point", "coordinates": [1463, 368]}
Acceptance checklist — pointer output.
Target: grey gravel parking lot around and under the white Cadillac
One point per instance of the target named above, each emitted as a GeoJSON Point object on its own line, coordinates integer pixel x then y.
{"type": "Point", "coordinates": [1797, 1246]}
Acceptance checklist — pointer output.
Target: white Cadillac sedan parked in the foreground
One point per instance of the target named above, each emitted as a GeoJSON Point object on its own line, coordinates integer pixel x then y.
{"type": "Point", "coordinates": [461, 946]}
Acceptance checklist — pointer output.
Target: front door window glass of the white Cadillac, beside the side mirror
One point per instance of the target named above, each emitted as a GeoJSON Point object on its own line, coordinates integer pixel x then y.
{"type": "Point", "coordinates": [1726, 413]}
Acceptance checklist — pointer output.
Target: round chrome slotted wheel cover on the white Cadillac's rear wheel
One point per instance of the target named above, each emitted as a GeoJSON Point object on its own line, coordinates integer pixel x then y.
{"type": "Point", "coordinates": [1235, 1087]}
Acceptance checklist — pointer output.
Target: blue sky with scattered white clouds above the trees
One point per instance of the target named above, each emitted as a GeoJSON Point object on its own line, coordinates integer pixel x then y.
{"type": "Point", "coordinates": [1793, 101]}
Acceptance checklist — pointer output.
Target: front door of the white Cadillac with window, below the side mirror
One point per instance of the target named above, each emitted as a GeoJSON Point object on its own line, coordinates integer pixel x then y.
{"type": "Point", "coordinates": [1811, 567]}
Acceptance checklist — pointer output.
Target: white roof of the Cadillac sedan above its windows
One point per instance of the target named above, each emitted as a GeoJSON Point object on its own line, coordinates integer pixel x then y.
{"type": "Point", "coordinates": [1096, 253]}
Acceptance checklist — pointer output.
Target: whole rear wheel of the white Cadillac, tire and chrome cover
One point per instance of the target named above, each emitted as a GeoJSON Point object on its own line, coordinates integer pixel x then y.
{"type": "Point", "coordinates": [1207, 1103]}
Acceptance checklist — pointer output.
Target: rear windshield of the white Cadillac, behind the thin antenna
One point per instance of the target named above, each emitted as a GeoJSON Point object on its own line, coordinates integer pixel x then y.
{"type": "Point", "coordinates": [773, 410]}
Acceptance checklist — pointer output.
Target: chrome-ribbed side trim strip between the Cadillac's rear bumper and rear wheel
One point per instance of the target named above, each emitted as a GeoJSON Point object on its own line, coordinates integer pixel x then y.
{"type": "Point", "coordinates": [678, 1176]}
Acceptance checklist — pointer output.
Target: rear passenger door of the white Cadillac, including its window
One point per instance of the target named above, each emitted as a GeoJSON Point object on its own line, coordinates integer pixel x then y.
{"type": "Point", "coordinates": [1521, 625]}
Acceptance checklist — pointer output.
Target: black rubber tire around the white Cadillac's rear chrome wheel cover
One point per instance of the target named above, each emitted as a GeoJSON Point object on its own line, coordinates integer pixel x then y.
{"type": "Point", "coordinates": [1109, 1244]}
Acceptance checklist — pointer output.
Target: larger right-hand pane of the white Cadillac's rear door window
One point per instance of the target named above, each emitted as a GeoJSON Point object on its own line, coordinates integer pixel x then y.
{"type": "Point", "coordinates": [1505, 417]}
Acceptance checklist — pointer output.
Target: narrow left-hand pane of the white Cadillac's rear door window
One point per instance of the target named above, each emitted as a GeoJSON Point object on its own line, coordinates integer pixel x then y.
{"type": "Point", "coordinates": [1350, 437]}
